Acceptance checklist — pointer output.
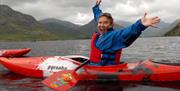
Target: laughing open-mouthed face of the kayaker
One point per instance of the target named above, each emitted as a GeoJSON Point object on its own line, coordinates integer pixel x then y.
{"type": "Point", "coordinates": [104, 24]}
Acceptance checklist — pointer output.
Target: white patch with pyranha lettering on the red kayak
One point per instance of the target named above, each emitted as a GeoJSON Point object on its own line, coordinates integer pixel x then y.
{"type": "Point", "coordinates": [55, 64]}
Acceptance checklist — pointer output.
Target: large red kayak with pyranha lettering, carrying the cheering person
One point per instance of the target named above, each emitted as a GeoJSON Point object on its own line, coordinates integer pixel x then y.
{"type": "Point", "coordinates": [139, 71]}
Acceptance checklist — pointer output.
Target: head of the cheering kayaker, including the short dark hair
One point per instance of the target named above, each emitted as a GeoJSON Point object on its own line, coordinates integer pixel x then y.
{"type": "Point", "coordinates": [105, 22]}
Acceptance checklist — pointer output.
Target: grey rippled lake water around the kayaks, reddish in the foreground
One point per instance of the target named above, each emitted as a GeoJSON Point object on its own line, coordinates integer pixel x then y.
{"type": "Point", "coordinates": [156, 48]}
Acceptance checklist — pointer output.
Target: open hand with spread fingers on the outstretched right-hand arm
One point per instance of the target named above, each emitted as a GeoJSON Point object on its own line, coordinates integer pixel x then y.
{"type": "Point", "coordinates": [152, 22]}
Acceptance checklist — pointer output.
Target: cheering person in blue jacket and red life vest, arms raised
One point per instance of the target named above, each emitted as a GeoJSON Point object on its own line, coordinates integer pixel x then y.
{"type": "Point", "coordinates": [107, 43]}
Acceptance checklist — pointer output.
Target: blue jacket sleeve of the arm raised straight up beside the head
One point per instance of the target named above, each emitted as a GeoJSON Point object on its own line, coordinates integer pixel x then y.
{"type": "Point", "coordinates": [97, 12]}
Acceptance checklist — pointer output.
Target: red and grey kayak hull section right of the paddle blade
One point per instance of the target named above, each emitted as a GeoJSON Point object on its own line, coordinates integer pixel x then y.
{"type": "Point", "coordinates": [142, 71]}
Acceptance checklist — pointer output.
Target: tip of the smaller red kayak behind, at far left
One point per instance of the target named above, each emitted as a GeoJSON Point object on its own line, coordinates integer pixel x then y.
{"type": "Point", "coordinates": [14, 52]}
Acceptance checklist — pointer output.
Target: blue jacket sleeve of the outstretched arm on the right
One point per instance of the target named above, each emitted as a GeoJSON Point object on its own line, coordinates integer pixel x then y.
{"type": "Point", "coordinates": [128, 35]}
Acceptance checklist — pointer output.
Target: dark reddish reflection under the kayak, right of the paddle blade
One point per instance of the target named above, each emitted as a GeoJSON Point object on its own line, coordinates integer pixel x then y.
{"type": "Point", "coordinates": [127, 86]}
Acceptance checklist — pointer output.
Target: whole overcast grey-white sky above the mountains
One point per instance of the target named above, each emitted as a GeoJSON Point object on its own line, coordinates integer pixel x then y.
{"type": "Point", "coordinates": [80, 11]}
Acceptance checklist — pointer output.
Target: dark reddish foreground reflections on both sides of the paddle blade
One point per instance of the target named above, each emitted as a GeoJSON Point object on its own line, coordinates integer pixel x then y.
{"type": "Point", "coordinates": [13, 82]}
